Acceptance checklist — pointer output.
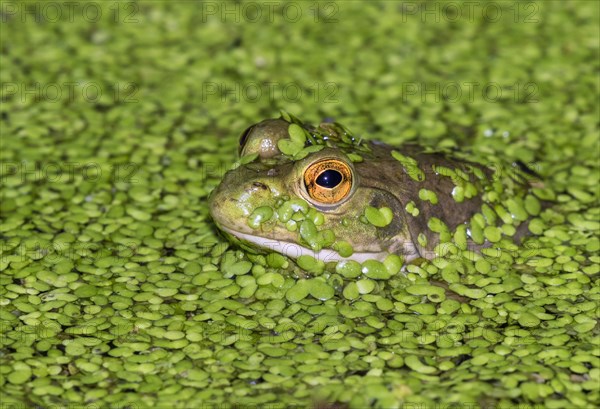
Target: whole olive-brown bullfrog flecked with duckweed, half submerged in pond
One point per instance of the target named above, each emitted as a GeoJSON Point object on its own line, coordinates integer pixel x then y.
{"type": "Point", "coordinates": [319, 191]}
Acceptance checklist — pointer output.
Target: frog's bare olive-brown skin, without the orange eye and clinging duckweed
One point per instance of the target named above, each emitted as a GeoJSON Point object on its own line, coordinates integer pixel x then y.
{"type": "Point", "coordinates": [380, 180]}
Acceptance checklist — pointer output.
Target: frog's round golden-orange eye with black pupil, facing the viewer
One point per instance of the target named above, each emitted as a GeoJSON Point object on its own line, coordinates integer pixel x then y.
{"type": "Point", "coordinates": [328, 181]}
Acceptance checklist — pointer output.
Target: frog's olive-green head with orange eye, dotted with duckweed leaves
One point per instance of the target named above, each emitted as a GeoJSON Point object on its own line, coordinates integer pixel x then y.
{"type": "Point", "coordinates": [302, 190]}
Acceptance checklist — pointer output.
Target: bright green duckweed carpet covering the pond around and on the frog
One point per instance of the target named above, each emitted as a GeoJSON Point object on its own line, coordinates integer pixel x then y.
{"type": "Point", "coordinates": [116, 290]}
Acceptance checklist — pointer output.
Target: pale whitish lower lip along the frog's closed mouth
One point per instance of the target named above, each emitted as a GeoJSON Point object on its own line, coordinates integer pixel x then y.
{"type": "Point", "coordinates": [295, 250]}
